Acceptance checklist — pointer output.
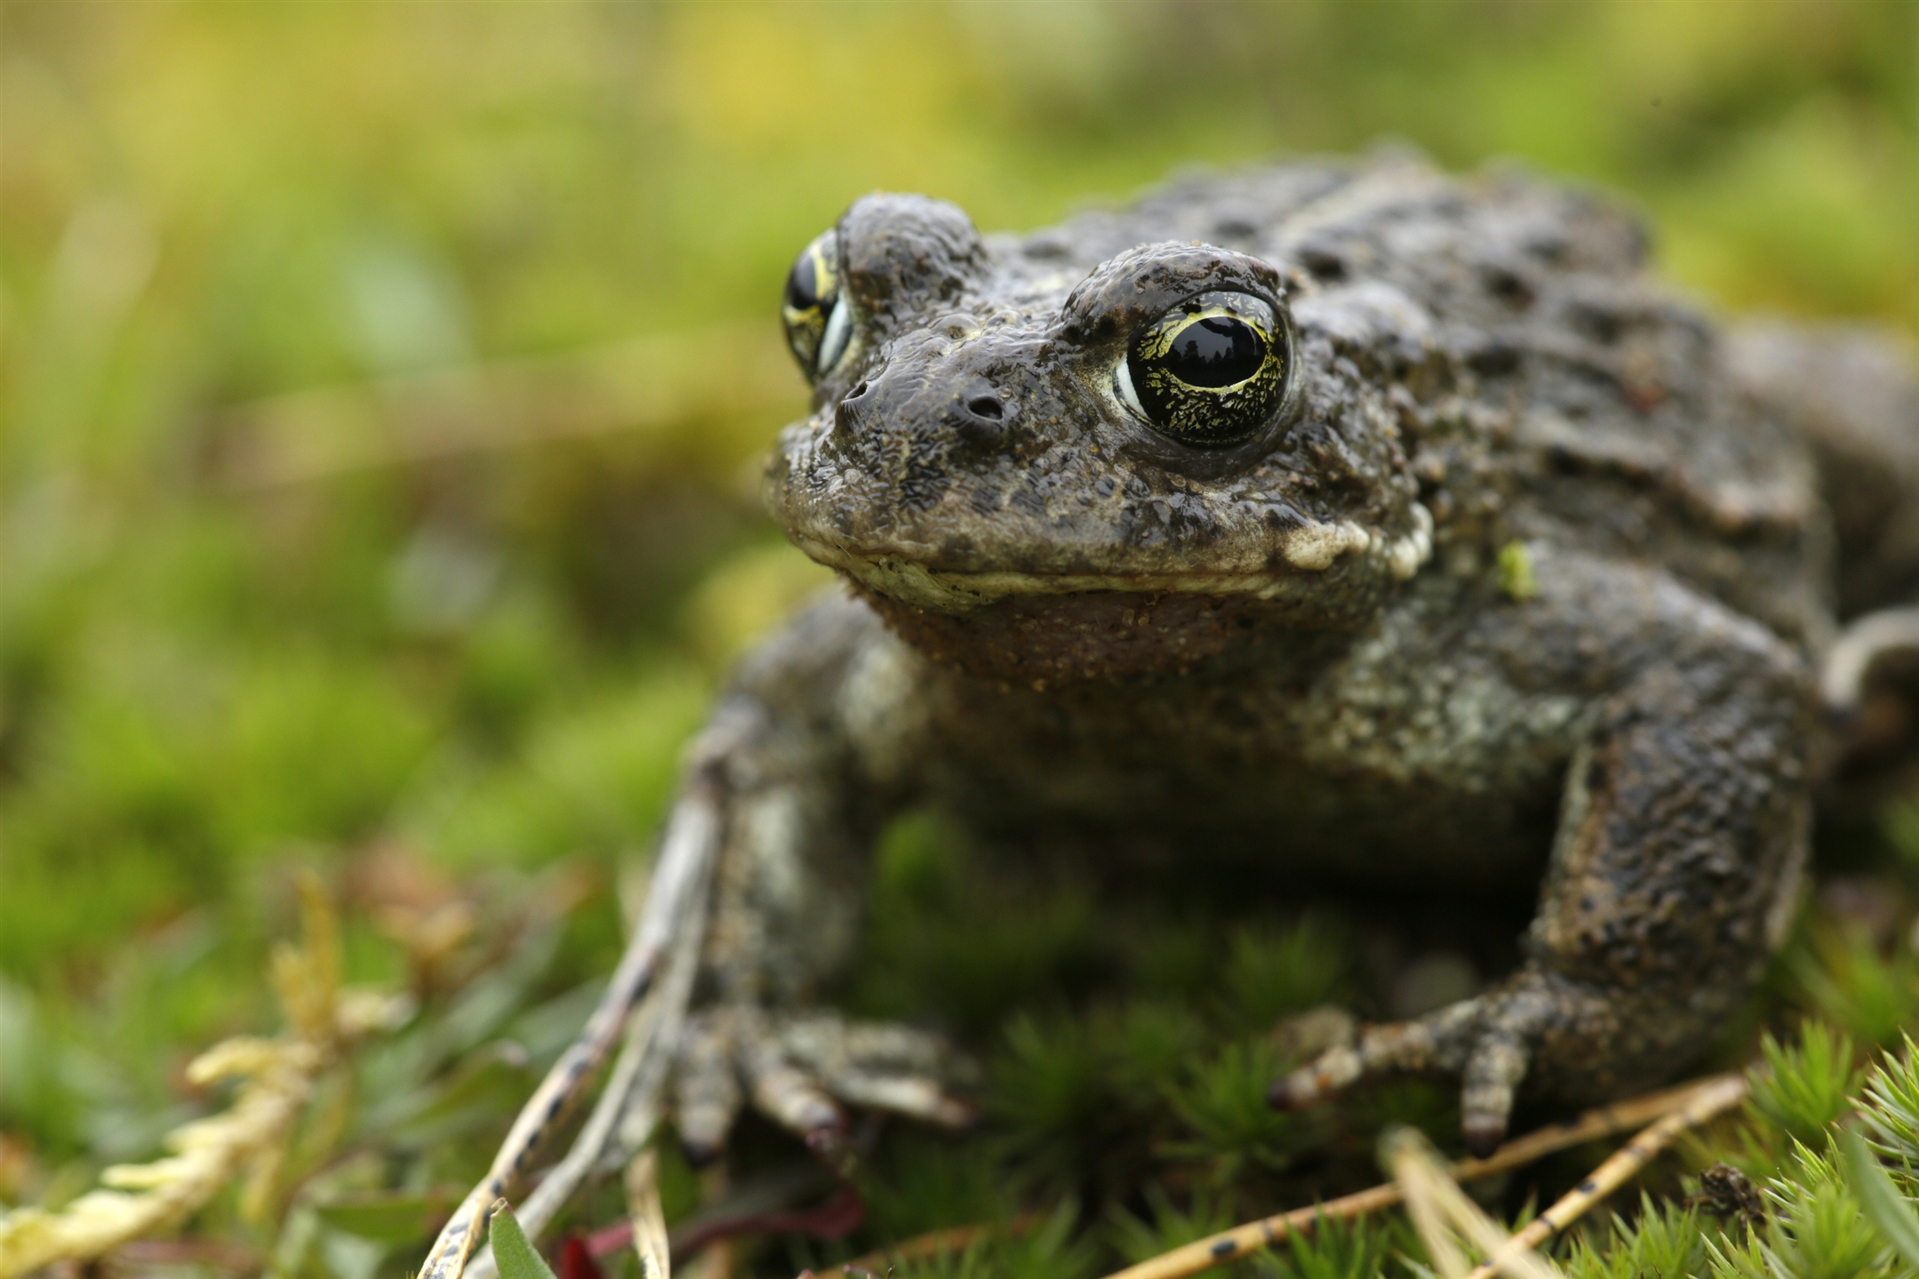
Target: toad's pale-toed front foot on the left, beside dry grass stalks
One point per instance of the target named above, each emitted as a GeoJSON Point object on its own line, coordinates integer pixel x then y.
{"type": "Point", "coordinates": [799, 1067]}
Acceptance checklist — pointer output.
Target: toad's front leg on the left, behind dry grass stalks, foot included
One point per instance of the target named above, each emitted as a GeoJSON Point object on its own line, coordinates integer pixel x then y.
{"type": "Point", "coordinates": [792, 758]}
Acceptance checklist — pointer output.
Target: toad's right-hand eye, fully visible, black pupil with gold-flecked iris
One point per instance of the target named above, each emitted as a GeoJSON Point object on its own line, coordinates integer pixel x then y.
{"type": "Point", "coordinates": [1208, 372]}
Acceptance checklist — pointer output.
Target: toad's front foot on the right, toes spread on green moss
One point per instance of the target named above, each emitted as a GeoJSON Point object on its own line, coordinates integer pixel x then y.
{"type": "Point", "coordinates": [1490, 1042]}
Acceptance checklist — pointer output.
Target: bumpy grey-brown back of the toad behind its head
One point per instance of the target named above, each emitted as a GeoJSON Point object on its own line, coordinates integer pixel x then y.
{"type": "Point", "coordinates": [1546, 385]}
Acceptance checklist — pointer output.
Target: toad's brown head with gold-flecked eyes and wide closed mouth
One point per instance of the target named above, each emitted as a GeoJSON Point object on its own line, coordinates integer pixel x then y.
{"type": "Point", "coordinates": [1045, 468]}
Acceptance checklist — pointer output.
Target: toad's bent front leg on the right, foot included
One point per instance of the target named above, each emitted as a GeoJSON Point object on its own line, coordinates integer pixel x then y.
{"type": "Point", "coordinates": [1680, 846]}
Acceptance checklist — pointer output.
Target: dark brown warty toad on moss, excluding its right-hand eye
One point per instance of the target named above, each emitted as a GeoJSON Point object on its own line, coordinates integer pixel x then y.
{"type": "Point", "coordinates": [1521, 585]}
